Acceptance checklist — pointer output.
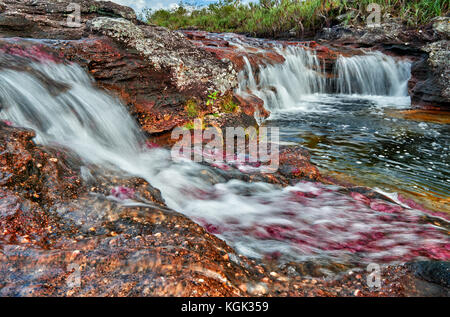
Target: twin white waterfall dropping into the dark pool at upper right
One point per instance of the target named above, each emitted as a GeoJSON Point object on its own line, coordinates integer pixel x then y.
{"type": "Point", "coordinates": [292, 84]}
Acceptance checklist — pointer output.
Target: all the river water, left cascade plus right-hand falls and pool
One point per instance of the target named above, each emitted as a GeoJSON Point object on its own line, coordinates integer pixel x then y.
{"type": "Point", "coordinates": [345, 132]}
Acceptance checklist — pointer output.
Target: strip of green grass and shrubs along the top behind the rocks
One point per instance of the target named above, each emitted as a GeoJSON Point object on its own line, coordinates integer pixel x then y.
{"type": "Point", "coordinates": [274, 17]}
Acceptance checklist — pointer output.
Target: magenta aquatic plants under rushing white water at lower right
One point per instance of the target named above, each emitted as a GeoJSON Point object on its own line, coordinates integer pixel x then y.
{"type": "Point", "coordinates": [302, 221]}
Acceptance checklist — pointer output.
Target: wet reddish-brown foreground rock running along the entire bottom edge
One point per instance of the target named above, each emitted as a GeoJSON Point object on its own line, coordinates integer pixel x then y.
{"type": "Point", "coordinates": [116, 237]}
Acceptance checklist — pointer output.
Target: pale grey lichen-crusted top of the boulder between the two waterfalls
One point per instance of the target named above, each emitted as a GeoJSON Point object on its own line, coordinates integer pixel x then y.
{"type": "Point", "coordinates": [191, 69]}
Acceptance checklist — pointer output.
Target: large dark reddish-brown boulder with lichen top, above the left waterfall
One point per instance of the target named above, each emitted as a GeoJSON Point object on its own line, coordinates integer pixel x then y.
{"type": "Point", "coordinates": [154, 70]}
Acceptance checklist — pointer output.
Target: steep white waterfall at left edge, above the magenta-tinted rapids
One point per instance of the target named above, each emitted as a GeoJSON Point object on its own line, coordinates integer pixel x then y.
{"type": "Point", "coordinates": [61, 104]}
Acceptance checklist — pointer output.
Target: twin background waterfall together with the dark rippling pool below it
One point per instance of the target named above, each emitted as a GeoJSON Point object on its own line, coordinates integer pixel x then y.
{"type": "Point", "coordinates": [345, 122]}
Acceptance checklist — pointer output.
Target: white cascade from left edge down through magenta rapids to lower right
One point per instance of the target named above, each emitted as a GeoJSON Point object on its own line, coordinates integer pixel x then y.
{"type": "Point", "coordinates": [258, 219]}
